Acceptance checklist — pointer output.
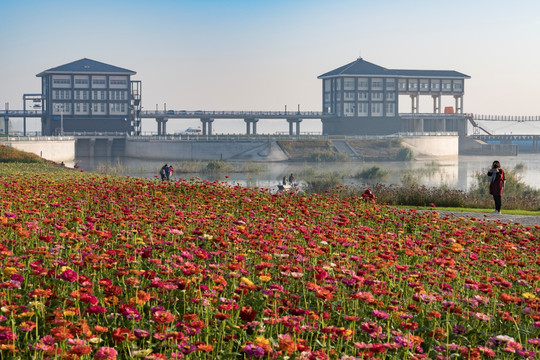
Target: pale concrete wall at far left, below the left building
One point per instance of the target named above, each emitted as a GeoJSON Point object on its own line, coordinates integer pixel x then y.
{"type": "Point", "coordinates": [54, 150]}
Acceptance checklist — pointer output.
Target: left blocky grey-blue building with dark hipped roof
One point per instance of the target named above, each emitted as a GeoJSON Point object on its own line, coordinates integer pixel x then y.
{"type": "Point", "coordinates": [87, 95]}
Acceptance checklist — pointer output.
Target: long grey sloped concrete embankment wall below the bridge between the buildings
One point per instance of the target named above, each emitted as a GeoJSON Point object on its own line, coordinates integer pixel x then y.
{"type": "Point", "coordinates": [204, 150]}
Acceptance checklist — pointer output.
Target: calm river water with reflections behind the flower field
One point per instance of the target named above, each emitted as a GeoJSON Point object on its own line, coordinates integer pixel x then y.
{"type": "Point", "coordinates": [456, 173]}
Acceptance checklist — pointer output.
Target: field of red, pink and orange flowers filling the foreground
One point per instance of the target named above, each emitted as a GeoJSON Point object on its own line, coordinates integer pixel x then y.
{"type": "Point", "coordinates": [116, 268]}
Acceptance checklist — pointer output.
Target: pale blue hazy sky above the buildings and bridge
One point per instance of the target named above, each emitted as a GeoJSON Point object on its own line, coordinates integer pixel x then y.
{"type": "Point", "coordinates": [265, 55]}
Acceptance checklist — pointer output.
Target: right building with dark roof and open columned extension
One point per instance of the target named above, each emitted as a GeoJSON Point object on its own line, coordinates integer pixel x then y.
{"type": "Point", "coordinates": [364, 98]}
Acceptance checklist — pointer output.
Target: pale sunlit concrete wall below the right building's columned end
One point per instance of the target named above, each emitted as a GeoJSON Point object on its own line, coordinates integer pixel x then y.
{"type": "Point", "coordinates": [430, 146]}
